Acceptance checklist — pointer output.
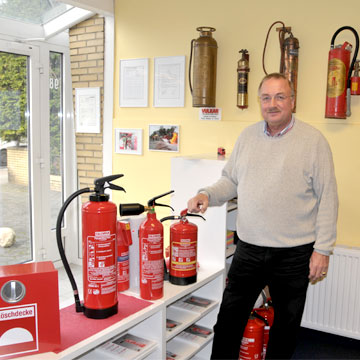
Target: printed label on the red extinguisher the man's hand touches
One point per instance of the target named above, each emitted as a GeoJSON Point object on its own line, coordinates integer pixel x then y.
{"type": "Point", "coordinates": [183, 257]}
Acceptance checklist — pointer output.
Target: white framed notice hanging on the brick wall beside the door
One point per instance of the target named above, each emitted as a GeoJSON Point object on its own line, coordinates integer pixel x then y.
{"type": "Point", "coordinates": [87, 105]}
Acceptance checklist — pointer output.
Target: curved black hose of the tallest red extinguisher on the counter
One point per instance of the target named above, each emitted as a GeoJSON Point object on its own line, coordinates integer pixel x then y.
{"type": "Point", "coordinates": [78, 306]}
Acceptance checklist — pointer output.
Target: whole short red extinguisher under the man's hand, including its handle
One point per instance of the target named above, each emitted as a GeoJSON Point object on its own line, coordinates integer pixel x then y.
{"type": "Point", "coordinates": [183, 249]}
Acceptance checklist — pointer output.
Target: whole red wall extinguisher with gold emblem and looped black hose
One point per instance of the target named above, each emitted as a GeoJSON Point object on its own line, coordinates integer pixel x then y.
{"type": "Point", "coordinates": [339, 77]}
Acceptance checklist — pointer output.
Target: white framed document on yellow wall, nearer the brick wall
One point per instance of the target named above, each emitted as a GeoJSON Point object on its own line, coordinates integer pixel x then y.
{"type": "Point", "coordinates": [134, 83]}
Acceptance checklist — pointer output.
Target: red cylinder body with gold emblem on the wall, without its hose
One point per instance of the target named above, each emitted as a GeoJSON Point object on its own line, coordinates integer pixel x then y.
{"type": "Point", "coordinates": [338, 69]}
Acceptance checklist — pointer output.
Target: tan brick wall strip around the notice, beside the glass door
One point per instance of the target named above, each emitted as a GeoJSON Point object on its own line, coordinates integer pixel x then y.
{"type": "Point", "coordinates": [87, 70]}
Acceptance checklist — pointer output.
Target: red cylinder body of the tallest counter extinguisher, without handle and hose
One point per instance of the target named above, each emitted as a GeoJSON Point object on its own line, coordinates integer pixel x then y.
{"type": "Point", "coordinates": [99, 258]}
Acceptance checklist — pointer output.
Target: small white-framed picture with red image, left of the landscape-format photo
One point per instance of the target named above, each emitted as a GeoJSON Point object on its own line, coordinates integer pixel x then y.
{"type": "Point", "coordinates": [128, 141]}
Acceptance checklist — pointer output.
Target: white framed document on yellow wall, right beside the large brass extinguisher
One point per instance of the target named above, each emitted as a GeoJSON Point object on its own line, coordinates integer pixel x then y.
{"type": "Point", "coordinates": [169, 81]}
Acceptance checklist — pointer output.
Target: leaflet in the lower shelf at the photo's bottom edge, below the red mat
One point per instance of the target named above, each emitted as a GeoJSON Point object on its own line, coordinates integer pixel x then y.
{"type": "Point", "coordinates": [126, 347]}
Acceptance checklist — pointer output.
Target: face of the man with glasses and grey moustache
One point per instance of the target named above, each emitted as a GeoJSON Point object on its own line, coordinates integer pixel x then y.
{"type": "Point", "coordinates": [276, 103]}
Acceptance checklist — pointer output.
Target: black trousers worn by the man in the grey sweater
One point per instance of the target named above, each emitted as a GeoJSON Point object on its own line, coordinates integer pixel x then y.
{"type": "Point", "coordinates": [285, 271]}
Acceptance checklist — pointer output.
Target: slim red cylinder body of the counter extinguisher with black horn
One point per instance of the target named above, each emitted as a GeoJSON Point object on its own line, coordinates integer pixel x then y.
{"type": "Point", "coordinates": [151, 247]}
